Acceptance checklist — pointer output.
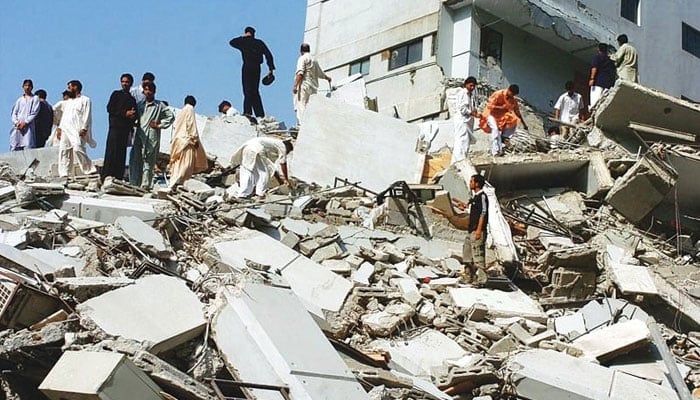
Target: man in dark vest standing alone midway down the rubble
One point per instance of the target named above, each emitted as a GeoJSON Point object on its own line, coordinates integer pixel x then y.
{"type": "Point", "coordinates": [474, 249]}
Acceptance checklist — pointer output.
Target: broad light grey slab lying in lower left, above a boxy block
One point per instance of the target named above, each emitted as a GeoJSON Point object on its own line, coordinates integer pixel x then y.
{"type": "Point", "coordinates": [144, 311]}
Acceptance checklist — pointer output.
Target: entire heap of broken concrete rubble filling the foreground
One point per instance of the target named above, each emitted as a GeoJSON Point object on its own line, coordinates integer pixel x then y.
{"type": "Point", "coordinates": [351, 284]}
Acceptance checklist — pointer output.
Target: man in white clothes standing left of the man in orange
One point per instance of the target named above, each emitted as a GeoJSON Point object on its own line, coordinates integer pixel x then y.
{"type": "Point", "coordinates": [463, 120]}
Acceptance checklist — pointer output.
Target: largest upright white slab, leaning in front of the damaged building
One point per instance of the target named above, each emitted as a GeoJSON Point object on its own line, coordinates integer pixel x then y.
{"type": "Point", "coordinates": [340, 140]}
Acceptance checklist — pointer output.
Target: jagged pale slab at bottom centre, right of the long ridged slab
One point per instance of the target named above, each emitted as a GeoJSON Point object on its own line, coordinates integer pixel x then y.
{"type": "Point", "coordinates": [422, 355]}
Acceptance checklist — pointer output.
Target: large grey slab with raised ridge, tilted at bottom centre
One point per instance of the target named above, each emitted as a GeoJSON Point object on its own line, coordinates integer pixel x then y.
{"type": "Point", "coordinates": [266, 336]}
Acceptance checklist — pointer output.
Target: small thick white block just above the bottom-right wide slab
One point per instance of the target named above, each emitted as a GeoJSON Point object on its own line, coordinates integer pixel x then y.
{"type": "Point", "coordinates": [608, 342]}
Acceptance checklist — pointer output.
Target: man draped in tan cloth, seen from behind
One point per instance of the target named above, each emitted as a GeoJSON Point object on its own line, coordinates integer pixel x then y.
{"type": "Point", "coordinates": [187, 155]}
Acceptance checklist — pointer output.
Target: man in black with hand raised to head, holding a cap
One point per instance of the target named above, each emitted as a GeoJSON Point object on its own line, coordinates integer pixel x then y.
{"type": "Point", "coordinates": [252, 51]}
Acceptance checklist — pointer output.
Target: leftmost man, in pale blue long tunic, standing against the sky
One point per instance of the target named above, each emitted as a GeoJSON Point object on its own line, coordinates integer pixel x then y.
{"type": "Point", "coordinates": [24, 112]}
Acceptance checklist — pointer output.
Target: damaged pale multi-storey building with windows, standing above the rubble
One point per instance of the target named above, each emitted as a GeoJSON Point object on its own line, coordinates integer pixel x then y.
{"type": "Point", "coordinates": [406, 48]}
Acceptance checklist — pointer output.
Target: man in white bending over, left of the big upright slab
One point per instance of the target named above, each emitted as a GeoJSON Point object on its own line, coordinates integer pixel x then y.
{"type": "Point", "coordinates": [258, 159]}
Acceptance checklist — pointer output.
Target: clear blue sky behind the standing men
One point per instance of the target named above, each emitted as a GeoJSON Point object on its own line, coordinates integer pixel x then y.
{"type": "Point", "coordinates": [184, 43]}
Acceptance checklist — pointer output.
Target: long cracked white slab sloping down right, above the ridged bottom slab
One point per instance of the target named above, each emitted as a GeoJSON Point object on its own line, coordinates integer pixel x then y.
{"type": "Point", "coordinates": [319, 288]}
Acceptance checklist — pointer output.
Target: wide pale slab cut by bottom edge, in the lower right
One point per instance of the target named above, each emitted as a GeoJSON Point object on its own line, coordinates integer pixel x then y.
{"type": "Point", "coordinates": [548, 374]}
